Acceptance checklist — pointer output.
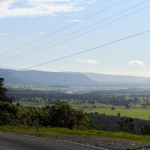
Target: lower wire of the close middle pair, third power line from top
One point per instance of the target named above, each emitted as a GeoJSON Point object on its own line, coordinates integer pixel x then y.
{"type": "Point", "coordinates": [61, 42]}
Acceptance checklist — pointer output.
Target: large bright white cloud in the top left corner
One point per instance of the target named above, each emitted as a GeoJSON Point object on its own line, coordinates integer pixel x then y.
{"type": "Point", "coordinates": [17, 8]}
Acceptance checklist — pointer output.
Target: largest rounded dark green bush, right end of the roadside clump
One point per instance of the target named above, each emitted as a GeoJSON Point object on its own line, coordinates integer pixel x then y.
{"type": "Point", "coordinates": [63, 115]}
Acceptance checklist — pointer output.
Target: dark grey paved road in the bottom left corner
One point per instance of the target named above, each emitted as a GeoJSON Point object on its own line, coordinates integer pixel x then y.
{"type": "Point", "coordinates": [10, 141]}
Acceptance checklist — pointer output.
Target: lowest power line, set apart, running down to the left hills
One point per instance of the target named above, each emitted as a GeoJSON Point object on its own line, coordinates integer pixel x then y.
{"type": "Point", "coordinates": [81, 52]}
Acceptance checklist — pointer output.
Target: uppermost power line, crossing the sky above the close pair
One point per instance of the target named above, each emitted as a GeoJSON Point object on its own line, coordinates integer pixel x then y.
{"type": "Point", "coordinates": [62, 29]}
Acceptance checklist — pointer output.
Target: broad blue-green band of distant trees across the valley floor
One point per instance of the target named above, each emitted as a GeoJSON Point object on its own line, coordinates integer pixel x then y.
{"type": "Point", "coordinates": [50, 97]}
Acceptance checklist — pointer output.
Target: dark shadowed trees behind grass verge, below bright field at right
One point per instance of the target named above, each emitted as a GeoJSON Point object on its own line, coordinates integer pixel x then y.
{"type": "Point", "coordinates": [118, 123]}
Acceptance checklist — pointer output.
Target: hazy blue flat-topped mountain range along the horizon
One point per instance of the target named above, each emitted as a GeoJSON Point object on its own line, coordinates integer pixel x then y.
{"type": "Point", "coordinates": [41, 78]}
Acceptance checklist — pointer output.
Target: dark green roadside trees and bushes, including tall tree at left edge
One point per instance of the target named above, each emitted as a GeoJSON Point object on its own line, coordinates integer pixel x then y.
{"type": "Point", "coordinates": [58, 115]}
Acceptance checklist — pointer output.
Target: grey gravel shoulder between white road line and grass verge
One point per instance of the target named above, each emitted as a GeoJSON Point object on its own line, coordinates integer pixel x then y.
{"type": "Point", "coordinates": [107, 143]}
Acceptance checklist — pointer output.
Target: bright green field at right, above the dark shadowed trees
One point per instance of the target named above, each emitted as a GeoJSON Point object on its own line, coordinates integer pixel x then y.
{"type": "Point", "coordinates": [134, 111]}
